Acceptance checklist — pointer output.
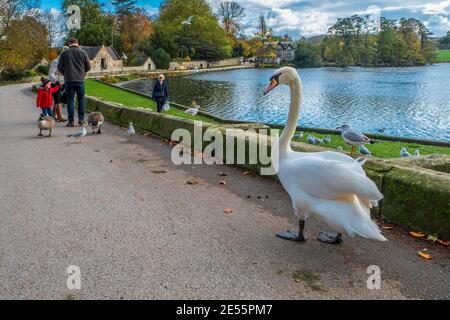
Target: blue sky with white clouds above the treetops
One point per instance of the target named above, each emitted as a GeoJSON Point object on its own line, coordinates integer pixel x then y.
{"type": "Point", "coordinates": [314, 17]}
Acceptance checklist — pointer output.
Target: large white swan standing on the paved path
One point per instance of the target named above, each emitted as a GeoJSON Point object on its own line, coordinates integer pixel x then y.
{"type": "Point", "coordinates": [328, 186]}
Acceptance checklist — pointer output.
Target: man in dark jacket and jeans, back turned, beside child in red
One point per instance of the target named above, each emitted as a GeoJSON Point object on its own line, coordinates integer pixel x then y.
{"type": "Point", "coordinates": [73, 65]}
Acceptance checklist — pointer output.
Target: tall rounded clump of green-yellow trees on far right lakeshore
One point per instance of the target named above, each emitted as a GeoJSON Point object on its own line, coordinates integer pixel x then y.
{"type": "Point", "coordinates": [353, 41]}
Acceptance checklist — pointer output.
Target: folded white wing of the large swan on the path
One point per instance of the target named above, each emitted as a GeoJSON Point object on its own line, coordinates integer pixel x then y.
{"type": "Point", "coordinates": [331, 180]}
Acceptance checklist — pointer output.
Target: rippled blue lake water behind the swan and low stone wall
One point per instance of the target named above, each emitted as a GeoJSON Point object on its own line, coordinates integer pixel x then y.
{"type": "Point", "coordinates": [407, 102]}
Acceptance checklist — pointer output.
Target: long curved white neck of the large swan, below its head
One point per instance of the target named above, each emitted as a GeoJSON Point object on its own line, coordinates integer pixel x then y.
{"type": "Point", "coordinates": [294, 111]}
